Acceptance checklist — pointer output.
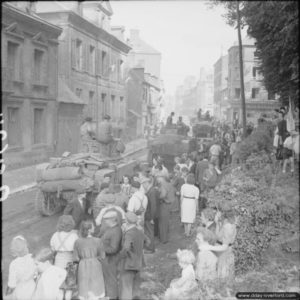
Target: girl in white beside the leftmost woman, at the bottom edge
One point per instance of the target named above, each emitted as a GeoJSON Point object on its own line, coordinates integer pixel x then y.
{"type": "Point", "coordinates": [50, 277]}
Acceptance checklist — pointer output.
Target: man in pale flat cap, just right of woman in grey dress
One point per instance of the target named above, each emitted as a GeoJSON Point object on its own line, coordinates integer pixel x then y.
{"type": "Point", "coordinates": [111, 239]}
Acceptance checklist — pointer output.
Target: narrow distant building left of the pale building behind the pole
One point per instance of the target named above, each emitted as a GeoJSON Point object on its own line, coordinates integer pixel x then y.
{"type": "Point", "coordinates": [220, 87]}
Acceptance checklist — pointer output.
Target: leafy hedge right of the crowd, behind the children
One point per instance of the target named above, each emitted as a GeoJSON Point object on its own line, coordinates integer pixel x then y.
{"type": "Point", "coordinates": [264, 214]}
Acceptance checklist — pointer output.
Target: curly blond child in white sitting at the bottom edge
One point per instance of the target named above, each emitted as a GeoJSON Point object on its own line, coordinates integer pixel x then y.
{"type": "Point", "coordinates": [180, 287]}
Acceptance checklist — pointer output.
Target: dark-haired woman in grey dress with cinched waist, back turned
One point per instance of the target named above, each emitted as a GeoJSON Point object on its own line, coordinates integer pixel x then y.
{"type": "Point", "coordinates": [88, 253]}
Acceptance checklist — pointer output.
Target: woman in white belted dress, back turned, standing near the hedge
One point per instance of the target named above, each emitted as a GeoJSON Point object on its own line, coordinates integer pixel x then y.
{"type": "Point", "coordinates": [189, 202]}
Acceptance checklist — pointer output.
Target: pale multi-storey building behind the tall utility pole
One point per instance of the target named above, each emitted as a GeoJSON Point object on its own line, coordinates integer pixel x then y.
{"type": "Point", "coordinates": [258, 100]}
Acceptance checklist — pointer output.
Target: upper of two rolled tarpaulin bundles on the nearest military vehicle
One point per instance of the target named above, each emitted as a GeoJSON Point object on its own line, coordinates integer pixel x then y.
{"type": "Point", "coordinates": [64, 173]}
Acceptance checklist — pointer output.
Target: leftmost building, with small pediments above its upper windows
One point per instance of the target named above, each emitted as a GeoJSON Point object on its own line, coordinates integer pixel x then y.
{"type": "Point", "coordinates": [29, 49]}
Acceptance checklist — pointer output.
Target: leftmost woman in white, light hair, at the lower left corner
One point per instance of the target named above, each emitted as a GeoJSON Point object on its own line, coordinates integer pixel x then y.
{"type": "Point", "coordinates": [22, 271]}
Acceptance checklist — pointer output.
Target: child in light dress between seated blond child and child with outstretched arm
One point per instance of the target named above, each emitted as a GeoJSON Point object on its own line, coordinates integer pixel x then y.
{"type": "Point", "coordinates": [206, 264]}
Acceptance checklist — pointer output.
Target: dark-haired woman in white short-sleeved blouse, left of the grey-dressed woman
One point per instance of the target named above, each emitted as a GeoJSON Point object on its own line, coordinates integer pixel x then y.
{"type": "Point", "coordinates": [63, 240]}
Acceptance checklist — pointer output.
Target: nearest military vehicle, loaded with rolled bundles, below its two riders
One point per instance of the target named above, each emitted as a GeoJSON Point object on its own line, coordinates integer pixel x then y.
{"type": "Point", "coordinates": [59, 180]}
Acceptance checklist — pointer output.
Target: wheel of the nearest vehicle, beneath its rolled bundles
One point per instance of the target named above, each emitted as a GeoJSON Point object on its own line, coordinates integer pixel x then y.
{"type": "Point", "coordinates": [47, 204]}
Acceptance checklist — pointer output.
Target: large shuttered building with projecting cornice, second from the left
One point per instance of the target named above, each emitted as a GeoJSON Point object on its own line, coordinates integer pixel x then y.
{"type": "Point", "coordinates": [91, 58]}
